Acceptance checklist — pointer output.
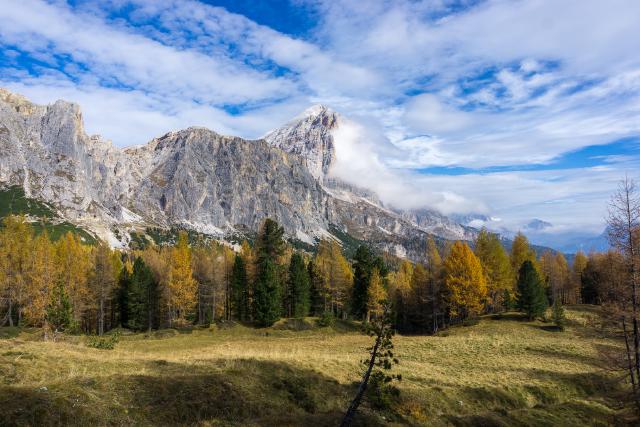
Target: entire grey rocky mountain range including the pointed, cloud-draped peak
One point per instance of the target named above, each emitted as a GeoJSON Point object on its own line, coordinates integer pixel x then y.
{"type": "Point", "coordinates": [198, 179]}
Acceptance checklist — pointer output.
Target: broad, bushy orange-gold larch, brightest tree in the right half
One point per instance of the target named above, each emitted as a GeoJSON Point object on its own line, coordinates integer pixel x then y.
{"type": "Point", "coordinates": [465, 281]}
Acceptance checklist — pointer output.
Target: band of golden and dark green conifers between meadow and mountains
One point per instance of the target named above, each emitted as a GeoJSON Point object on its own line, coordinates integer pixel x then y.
{"type": "Point", "coordinates": [69, 285]}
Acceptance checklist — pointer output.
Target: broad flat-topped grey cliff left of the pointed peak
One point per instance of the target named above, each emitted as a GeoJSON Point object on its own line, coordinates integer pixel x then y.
{"type": "Point", "coordinates": [215, 183]}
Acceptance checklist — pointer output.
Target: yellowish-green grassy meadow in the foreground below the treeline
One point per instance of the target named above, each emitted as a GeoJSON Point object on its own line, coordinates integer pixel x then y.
{"type": "Point", "coordinates": [500, 372]}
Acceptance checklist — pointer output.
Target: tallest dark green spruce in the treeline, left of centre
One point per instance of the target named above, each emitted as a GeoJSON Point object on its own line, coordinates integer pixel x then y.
{"type": "Point", "coordinates": [267, 298]}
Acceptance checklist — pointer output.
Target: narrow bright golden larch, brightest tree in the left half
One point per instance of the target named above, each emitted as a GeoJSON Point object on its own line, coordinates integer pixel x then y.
{"type": "Point", "coordinates": [182, 287]}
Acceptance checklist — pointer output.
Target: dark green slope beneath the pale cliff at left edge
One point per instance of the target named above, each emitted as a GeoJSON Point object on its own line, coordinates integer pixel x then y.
{"type": "Point", "coordinates": [14, 202]}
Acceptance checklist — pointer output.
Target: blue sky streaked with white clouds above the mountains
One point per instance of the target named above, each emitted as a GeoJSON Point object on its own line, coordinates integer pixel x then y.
{"type": "Point", "coordinates": [515, 110]}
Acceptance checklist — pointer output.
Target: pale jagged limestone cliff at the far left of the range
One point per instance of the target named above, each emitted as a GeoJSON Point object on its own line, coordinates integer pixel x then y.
{"type": "Point", "coordinates": [46, 151]}
